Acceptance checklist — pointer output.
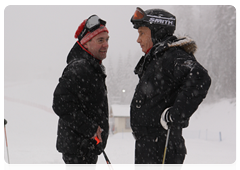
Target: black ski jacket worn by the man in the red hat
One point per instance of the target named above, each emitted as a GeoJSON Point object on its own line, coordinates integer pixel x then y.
{"type": "Point", "coordinates": [80, 101]}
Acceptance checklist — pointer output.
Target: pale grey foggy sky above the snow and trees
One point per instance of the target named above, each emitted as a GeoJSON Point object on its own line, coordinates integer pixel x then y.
{"type": "Point", "coordinates": [37, 39]}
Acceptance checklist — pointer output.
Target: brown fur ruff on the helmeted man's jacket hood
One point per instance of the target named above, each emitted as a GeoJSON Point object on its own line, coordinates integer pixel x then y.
{"type": "Point", "coordinates": [185, 43]}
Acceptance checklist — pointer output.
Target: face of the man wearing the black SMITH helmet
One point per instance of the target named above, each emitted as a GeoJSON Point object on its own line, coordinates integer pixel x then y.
{"type": "Point", "coordinates": [144, 38]}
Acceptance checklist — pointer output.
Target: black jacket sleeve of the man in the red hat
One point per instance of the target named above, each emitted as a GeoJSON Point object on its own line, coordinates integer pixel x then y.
{"type": "Point", "coordinates": [70, 98]}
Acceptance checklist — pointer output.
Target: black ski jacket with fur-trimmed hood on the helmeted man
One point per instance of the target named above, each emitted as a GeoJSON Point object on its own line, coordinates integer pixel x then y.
{"type": "Point", "coordinates": [169, 77]}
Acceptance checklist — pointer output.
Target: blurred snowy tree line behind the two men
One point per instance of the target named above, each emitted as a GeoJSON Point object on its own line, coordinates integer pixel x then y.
{"type": "Point", "coordinates": [215, 31]}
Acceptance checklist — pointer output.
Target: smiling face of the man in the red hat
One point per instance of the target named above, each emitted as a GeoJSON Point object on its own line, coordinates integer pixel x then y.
{"type": "Point", "coordinates": [98, 45]}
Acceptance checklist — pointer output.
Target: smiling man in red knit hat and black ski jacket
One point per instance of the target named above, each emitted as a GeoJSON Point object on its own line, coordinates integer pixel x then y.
{"type": "Point", "coordinates": [80, 98]}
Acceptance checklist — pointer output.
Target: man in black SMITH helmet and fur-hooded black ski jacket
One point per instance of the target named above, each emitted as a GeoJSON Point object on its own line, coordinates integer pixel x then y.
{"type": "Point", "coordinates": [171, 86]}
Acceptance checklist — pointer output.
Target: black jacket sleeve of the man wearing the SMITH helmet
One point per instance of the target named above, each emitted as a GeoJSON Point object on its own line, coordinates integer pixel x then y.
{"type": "Point", "coordinates": [194, 83]}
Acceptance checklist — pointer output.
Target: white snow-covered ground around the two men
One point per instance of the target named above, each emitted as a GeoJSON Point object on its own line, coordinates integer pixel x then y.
{"type": "Point", "coordinates": [32, 128]}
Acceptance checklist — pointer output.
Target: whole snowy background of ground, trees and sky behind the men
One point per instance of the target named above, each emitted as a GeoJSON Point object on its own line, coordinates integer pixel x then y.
{"type": "Point", "coordinates": [37, 40]}
